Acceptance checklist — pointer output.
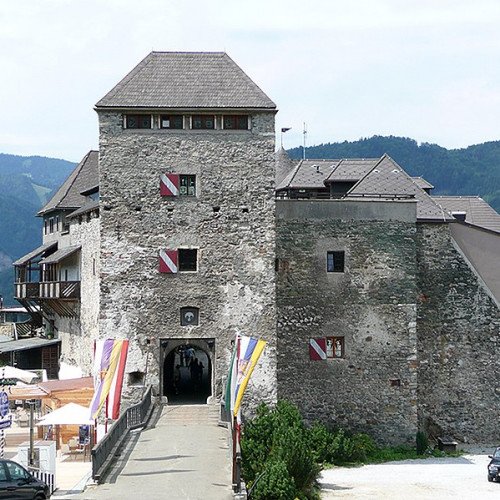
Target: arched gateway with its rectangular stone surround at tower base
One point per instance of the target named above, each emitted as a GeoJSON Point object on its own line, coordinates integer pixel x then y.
{"type": "Point", "coordinates": [187, 370]}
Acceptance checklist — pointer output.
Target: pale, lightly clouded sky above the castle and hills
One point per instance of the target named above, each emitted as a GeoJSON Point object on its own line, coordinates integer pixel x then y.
{"type": "Point", "coordinates": [348, 69]}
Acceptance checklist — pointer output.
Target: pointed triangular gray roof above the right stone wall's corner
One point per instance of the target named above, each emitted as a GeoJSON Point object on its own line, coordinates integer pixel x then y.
{"type": "Point", "coordinates": [387, 178]}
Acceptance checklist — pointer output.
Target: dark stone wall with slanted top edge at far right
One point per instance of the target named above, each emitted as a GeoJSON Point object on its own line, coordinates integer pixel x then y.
{"type": "Point", "coordinates": [458, 343]}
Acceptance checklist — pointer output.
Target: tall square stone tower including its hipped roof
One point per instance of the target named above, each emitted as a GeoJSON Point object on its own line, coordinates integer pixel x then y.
{"type": "Point", "coordinates": [187, 227]}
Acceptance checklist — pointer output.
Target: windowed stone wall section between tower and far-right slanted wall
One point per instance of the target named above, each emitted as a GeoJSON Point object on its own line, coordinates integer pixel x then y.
{"type": "Point", "coordinates": [372, 305]}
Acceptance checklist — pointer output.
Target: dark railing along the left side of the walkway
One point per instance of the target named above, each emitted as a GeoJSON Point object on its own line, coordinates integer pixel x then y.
{"type": "Point", "coordinates": [132, 418]}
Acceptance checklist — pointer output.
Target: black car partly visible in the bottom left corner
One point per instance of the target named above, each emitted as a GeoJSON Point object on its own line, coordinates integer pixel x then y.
{"type": "Point", "coordinates": [17, 482]}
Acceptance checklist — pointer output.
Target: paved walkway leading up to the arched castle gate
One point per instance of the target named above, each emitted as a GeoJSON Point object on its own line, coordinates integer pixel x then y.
{"type": "Point", "coordinates": [184, 456]}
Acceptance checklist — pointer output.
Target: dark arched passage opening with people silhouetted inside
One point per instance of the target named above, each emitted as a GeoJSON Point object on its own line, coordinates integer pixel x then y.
{"type": "Point", "coordinates": [187, 375]}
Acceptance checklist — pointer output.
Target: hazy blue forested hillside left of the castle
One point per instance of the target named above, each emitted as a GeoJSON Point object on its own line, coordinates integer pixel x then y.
{"type": "Point", "coordinates": [26, 183]}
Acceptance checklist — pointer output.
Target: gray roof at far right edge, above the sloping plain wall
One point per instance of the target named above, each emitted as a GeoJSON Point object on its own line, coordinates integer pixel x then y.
{"type": "Point", "coordinates": [477, 211]}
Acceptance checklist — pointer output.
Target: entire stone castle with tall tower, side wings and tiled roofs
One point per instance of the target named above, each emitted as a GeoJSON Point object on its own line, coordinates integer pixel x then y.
{"type": "Point", "coordinates": [379, 302]}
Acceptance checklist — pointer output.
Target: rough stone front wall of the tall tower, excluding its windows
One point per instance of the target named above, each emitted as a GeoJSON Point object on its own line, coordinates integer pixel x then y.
{"type": "Point", "coordinates": [230, 221]}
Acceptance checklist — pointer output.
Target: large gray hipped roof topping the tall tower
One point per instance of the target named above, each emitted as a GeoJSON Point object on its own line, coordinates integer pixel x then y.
{"type": "Point", "coordinates": [186, 80]}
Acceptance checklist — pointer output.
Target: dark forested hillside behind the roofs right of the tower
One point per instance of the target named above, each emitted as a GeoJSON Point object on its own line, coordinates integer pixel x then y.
{"type": "Point", "coordinates": [470, 171]}
